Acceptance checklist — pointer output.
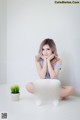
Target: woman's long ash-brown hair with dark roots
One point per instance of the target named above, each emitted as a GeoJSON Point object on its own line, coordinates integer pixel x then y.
{"type": "Point", "coordinates": [52, 45]}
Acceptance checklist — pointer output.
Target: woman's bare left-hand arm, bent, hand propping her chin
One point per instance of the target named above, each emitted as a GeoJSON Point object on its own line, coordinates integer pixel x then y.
{"type": "Point", "coordinates": [41, 70]}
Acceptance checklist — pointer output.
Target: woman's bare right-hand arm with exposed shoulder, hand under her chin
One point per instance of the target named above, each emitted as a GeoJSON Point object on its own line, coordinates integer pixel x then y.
{"type": "Point", "coordinates": [53, 72]}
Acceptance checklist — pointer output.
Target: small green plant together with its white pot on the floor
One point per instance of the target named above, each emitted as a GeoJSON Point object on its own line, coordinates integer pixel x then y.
{"type": "Point", "coordinates": [15, 92]}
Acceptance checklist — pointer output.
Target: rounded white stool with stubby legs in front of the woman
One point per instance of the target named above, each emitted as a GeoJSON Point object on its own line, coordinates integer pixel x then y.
{"type": "Point", "coordinates": [47, 90]}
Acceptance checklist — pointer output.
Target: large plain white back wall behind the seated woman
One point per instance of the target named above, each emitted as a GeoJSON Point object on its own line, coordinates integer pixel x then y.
{"type": "Point", "coordinates": [31, 21]}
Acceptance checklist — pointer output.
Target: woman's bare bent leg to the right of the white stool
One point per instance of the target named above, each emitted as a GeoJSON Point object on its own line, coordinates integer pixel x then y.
{"type": "Point", "coordinates": [66, 91]}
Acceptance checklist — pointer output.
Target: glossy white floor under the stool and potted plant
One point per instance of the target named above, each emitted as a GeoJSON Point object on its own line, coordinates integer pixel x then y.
{"type": "Point", "coordinates": [26, 109]}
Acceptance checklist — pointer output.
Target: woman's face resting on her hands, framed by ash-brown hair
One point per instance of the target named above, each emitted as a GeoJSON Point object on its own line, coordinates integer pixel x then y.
{"type": "Point", "coordinates": [46, 51]}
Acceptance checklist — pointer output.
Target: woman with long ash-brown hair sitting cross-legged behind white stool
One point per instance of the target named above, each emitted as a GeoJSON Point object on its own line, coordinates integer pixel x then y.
{"type": "Point", "coordinates": [48, 65]}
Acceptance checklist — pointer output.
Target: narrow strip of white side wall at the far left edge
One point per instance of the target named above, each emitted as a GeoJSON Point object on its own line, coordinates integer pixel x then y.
{"type": "Point", "coordinates": [2, 41]}
